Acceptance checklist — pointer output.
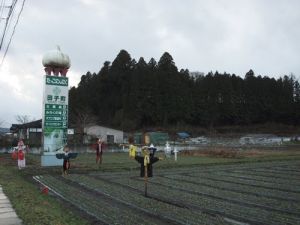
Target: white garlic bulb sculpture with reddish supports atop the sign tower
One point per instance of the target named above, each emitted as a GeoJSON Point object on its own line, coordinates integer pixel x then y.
{"type": "Point", "coordinates": [56, 62]}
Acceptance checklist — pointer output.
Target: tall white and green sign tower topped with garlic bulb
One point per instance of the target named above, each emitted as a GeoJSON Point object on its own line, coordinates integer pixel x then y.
{"type": "Point", "coordinates": [55, 106]}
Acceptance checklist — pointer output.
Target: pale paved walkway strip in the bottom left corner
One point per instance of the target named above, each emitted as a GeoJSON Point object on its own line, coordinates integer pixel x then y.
{"type": "Point", "coordinates": [8, 215]}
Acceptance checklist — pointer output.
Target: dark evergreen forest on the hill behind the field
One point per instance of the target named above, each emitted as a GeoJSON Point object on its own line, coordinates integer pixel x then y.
{"type": "Point", "coordinates": [132, 95]}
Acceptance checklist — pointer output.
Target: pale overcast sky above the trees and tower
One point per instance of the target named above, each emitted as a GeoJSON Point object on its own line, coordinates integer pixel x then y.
{"type": "Point", "coordinates": [224, 35]}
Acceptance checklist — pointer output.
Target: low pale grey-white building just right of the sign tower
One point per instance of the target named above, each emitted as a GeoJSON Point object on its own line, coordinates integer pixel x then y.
{"type": "Point", "coordinates": [108, 135]}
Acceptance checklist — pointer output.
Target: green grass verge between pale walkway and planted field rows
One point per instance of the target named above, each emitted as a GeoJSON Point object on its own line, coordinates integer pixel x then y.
{"type": "Point", "coordinates": [30, 204]}
